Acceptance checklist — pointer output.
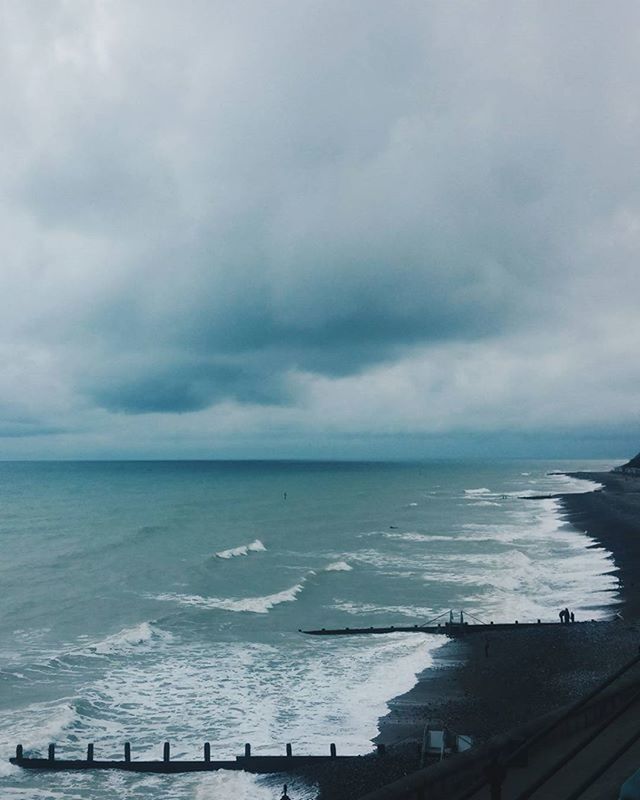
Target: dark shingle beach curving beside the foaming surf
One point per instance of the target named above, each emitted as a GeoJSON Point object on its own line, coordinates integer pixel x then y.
{"type": "Point", "coordinates": [527, 673]}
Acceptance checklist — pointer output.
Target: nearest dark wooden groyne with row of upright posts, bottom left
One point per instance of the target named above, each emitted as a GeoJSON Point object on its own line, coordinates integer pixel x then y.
{"type": "Point", "coordinates": [247, 762]}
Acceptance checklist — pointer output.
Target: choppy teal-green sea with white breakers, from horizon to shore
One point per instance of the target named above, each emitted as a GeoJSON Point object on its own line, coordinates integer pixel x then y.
{"type": "Point", "coordinates": [147, 602]}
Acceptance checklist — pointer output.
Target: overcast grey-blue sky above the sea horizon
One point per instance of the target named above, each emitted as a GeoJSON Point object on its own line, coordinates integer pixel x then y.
{"type": "Point", "coordinates": [300, 228]}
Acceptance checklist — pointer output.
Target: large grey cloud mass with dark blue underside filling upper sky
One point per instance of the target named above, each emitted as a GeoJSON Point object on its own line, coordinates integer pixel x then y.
{"type": "Point", "coordinates": [211, 199]}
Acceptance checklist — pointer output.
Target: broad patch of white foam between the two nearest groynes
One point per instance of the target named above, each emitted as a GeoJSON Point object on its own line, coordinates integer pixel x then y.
{"type": "Point", "coordinates": [310, 693]}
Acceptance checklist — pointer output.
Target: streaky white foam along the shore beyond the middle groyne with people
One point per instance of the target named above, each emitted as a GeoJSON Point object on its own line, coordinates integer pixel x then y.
{"type": "Point", "coordinates": [533, 563]}
